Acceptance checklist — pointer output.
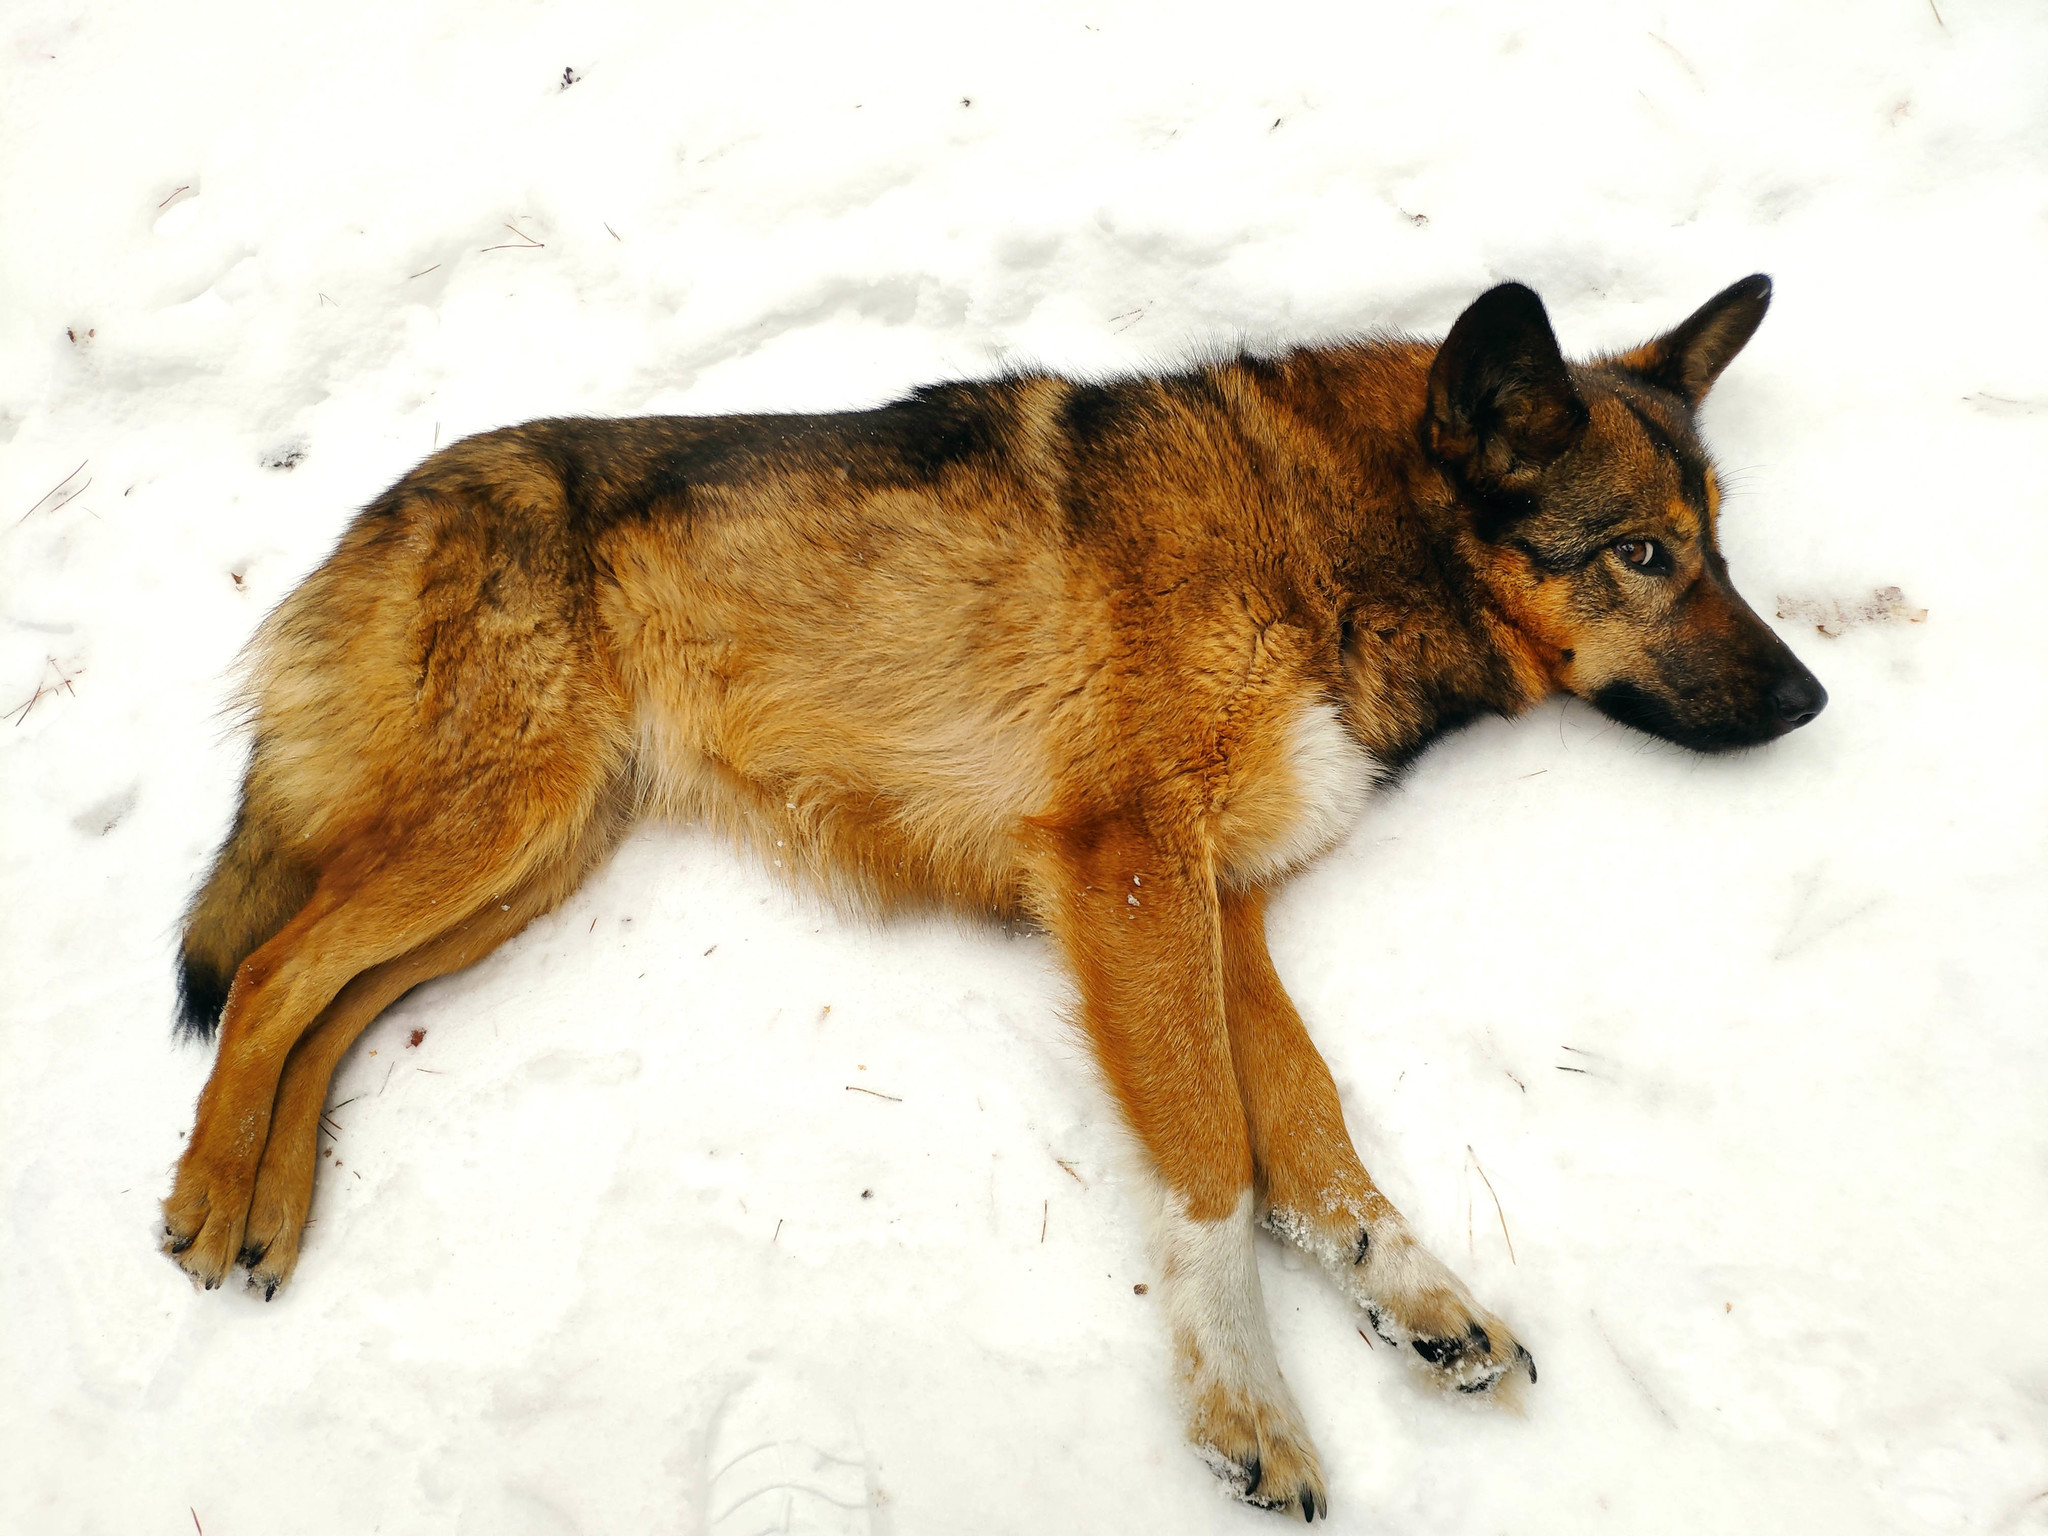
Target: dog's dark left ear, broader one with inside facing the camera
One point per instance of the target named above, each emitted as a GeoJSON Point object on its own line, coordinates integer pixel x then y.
{"type": "Point", "coordinates": [1502, 402]}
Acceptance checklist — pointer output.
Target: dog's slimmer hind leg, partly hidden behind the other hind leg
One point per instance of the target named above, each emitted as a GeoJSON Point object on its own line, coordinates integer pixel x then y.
{"type": "Point", "coordinates": [292, 1154]}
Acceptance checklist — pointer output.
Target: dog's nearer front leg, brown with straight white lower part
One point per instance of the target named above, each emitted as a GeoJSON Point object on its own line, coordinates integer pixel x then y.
{"type": "Point", "coordinates": [1140, 923]}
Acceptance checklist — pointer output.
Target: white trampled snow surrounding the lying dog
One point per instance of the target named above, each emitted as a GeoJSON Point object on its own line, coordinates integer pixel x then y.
{"type": "Point", "coordinates": [708, 1209]}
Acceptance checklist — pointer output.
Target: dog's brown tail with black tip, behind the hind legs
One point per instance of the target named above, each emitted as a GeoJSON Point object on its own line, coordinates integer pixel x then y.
{"type": "Point", "coordinates": [253, 892]}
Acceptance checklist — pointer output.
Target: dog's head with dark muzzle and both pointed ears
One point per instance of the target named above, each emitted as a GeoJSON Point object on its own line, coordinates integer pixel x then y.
{"type": "Point", "coordinates": [1592, 519]}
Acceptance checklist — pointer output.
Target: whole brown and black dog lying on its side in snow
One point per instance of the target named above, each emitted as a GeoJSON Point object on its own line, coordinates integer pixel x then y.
{"type": "Point", "coordinates": [1109, 656]}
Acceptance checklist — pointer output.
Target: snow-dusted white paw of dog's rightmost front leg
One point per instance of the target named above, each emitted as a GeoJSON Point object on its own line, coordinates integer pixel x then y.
{"type": "Point", "coordinates": [1414, 1302]}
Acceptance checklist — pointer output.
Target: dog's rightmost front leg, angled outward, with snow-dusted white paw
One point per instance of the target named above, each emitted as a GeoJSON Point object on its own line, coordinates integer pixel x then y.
{"type": "Point", "coordinates": [1316, 1189]}
